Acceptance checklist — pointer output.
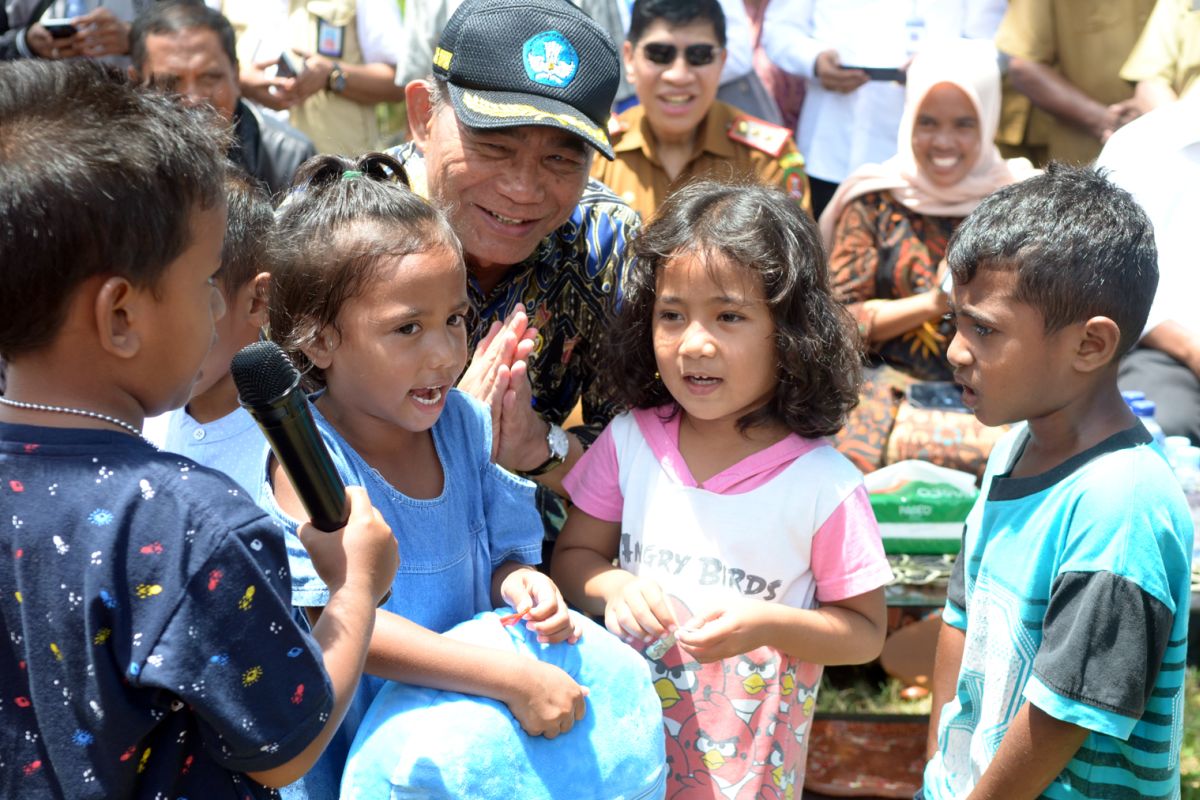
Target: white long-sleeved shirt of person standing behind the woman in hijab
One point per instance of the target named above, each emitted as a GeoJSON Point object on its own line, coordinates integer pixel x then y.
{"type": "Point", "coordinates": [838, 133]}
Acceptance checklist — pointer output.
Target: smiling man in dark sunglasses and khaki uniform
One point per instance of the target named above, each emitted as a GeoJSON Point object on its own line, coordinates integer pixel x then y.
{"type": "Point", "coordinates": [680, 131]}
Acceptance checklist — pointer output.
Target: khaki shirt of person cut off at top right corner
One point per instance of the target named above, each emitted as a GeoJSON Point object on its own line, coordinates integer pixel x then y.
{"type": "Point", "coordinates": [1169, 49]}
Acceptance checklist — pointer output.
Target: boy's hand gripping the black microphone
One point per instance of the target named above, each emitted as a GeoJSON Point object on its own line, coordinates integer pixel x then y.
{"type": "Point", "coordinates": [364, 554]}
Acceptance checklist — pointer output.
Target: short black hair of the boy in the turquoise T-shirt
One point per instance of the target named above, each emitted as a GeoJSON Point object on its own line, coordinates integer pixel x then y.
{"type": "Point", "coordinates": [1082, 248]}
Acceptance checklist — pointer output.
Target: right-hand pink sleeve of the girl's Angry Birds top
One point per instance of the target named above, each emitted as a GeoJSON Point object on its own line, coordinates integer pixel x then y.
{"type": "Point", "coordinates": [848, 551]}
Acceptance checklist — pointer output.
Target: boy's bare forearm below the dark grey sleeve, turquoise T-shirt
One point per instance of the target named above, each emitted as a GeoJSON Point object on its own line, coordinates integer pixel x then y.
{"type": "Point", "coordinates": [1035, 750]}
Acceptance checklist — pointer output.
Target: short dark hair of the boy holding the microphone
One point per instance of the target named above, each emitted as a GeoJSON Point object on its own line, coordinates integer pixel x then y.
{"type": "Point", "coordinates": [97, 178]}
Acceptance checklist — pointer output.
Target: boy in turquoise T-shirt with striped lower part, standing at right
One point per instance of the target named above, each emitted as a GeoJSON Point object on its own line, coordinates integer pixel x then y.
{"type": "Point", "coordinates": [1061, 658]}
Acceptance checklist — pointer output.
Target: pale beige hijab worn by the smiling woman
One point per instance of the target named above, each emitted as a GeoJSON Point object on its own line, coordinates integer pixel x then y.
{"type": "Point", "coordinates": [971, 67]}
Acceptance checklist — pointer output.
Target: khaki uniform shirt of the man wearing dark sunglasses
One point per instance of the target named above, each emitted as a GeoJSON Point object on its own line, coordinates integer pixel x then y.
{"type": "Point", "coordinates": [730, 147]}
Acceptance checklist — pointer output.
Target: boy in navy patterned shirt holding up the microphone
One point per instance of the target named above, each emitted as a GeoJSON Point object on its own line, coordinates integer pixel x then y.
{"type": "Point", "coordinates": [148, 646]}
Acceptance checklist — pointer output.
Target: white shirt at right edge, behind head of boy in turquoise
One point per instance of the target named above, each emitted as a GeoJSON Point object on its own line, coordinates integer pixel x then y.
{"type": "Point", "coordinates": [1157, 160]}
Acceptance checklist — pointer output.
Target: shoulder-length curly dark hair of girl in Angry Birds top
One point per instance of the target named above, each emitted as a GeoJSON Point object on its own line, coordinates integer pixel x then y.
{"type": "Point", "coordinates": [760, 228]}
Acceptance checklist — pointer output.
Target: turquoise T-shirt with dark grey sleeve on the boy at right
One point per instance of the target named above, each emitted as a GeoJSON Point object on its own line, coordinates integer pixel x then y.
{"type": "Point", "coordinates": [1073, 591]}
